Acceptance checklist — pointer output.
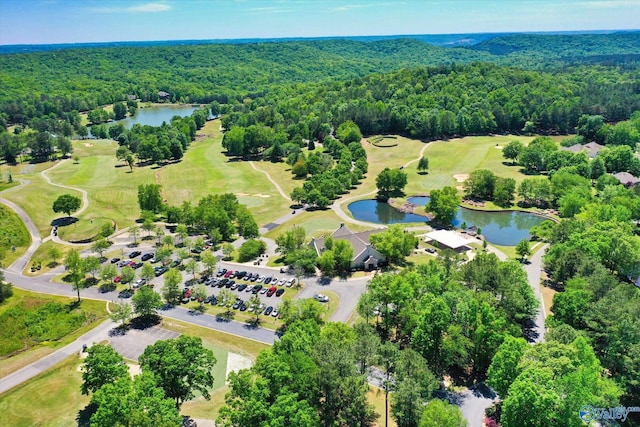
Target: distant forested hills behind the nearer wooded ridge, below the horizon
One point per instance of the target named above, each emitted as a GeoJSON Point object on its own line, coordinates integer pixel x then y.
{"type": "Point", "coordinates": [36, 84]}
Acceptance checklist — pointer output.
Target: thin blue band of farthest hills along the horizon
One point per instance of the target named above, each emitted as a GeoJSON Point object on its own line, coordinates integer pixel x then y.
{"type": "Point", "coordinates": [291, 38]}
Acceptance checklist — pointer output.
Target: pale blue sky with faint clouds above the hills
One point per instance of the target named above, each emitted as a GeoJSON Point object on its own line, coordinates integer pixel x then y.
{"type": "Point", "coordinates": [83, 21]}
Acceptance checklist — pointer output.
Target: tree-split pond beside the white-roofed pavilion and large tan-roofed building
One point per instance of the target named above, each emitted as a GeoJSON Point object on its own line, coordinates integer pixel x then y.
{"type": "Point", "coordinates": [500, 228]}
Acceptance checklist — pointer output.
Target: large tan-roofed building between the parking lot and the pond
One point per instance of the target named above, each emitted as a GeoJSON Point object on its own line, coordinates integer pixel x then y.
{"type": "Point", "coordinates": [365, 255]}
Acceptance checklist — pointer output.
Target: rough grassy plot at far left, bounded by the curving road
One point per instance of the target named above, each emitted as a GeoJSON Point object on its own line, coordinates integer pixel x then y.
{"type": "Point", "coordinates": [54, 329]}
